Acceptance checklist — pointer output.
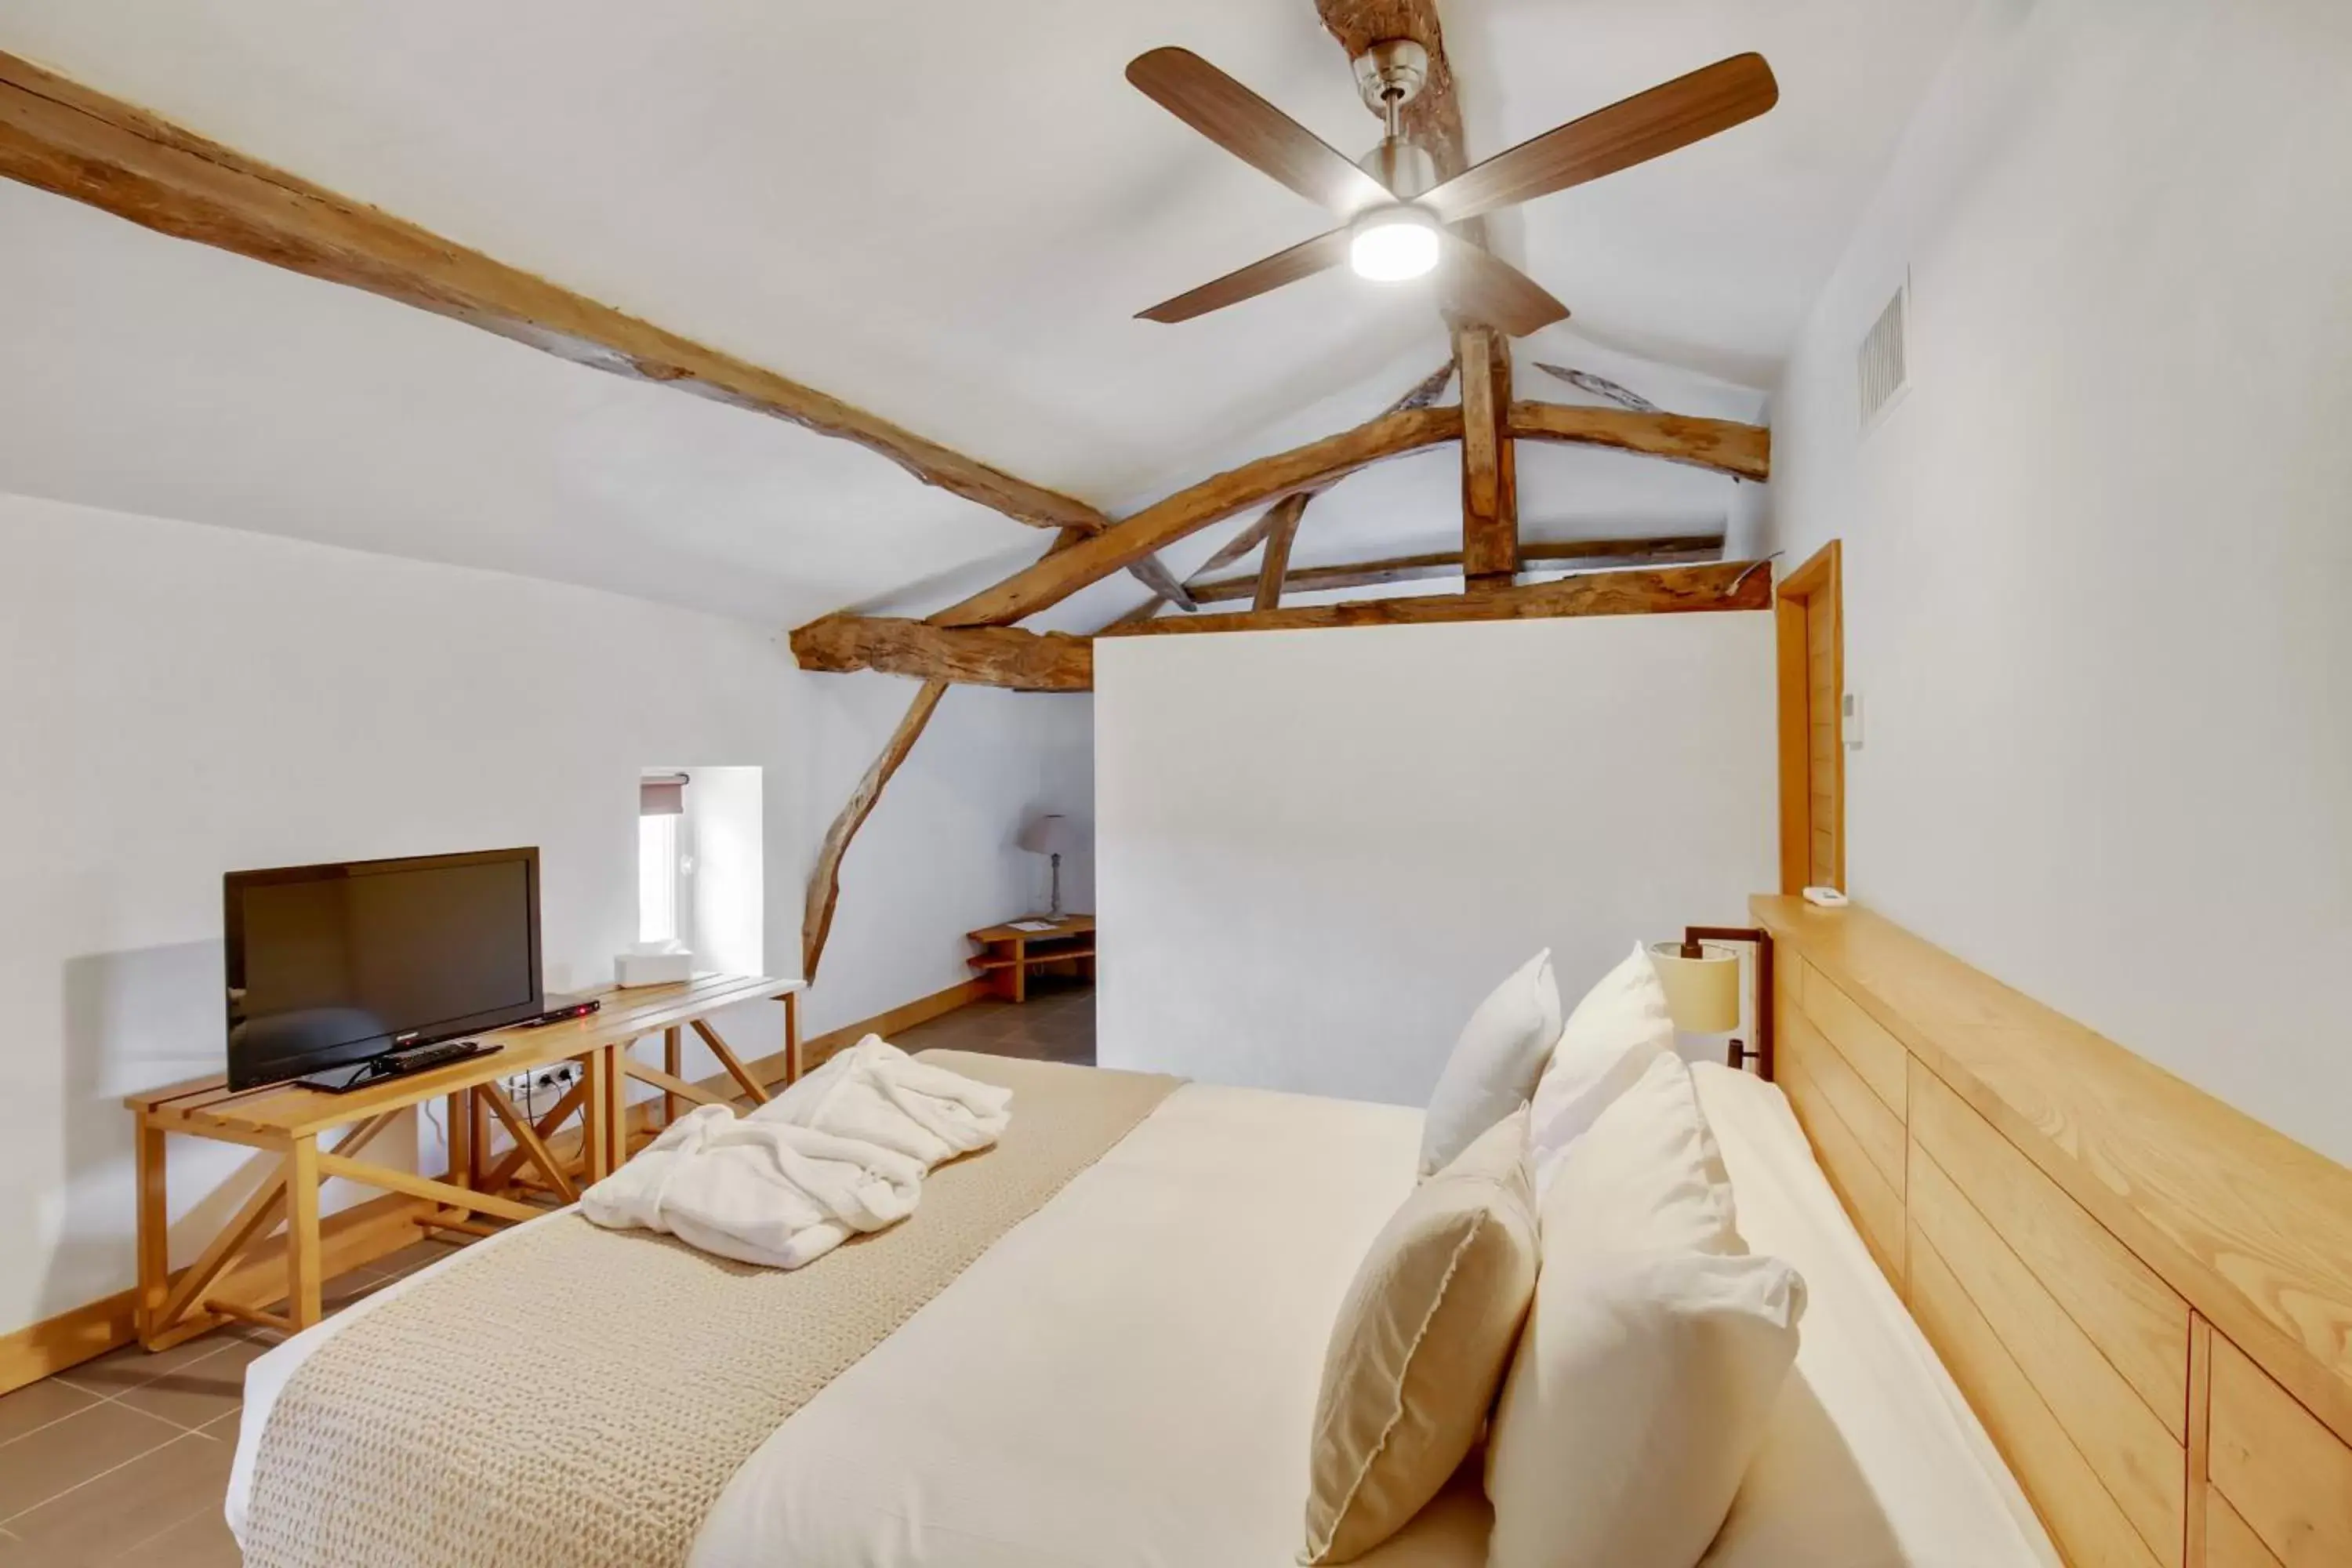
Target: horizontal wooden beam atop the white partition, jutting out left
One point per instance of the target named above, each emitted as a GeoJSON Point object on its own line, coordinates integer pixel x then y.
{"type": "Point", "coordinates": [1055, 662]}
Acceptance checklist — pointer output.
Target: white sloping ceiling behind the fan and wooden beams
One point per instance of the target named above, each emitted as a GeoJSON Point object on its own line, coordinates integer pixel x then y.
{"type": "Point", "coordinates": [944, 213]}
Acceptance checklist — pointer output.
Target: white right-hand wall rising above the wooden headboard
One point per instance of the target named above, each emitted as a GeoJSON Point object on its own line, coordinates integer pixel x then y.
{"type": "Point", "coordinates": [2097, 561]}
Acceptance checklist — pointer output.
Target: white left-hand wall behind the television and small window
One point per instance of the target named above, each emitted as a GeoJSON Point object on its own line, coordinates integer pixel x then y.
{"type": "Point", "coordinates": [182, 702]}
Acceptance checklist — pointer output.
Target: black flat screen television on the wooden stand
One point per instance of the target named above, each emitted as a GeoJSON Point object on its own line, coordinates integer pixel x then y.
{"type": "Point", "coordinates": [335, 965]}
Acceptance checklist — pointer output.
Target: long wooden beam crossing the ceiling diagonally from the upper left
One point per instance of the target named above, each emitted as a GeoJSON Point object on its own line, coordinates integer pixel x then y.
{"type": "Point", "coordinates": [95, 149]}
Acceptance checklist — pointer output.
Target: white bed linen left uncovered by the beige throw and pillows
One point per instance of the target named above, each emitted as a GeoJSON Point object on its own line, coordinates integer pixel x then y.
{"type": "Point", "coordinates": [1125, 1376]}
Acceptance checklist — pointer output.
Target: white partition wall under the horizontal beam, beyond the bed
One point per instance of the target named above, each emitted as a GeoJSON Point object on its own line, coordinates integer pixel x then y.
{"type": "Point", "coordinates": [1323, 850]}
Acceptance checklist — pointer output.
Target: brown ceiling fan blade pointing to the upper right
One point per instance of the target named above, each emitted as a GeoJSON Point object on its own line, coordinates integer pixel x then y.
{"type": "Point", "coordinates": [1631, 130]}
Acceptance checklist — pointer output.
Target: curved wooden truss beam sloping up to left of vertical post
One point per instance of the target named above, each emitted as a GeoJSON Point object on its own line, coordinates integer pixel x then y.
{"type": "Point", "coordinates": [1189, 511]}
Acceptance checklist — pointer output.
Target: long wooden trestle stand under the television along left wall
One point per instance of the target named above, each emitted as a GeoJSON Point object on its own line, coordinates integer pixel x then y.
{"type": "Point", "coordinates": [298, 1123]}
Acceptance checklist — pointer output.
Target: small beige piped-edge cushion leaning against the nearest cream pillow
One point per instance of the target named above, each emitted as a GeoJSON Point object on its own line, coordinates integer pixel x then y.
{"type": "Point", "coordinates": [1422, 1343]}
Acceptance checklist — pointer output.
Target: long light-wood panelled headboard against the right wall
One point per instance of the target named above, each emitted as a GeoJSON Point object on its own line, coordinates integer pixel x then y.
{"type": "Point", "coordinates": [2144, 1294]}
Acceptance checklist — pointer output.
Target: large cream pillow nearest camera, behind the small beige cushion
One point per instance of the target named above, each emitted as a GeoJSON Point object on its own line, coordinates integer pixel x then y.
{"type": "Point", "coordinates": [1652, 1358]}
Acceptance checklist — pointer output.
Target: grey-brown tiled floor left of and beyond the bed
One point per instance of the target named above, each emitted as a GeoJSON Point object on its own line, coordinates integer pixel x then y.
{"type": "Point", "coordinates": [126, 1459]}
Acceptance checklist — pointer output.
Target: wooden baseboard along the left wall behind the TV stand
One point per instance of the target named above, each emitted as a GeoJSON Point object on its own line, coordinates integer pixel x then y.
{"type": "Point", "coordinates": [385, 1226]}
